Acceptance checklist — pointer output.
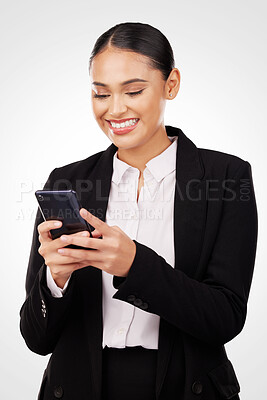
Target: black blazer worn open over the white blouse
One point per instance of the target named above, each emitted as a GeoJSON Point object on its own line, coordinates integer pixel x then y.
{"type": "Point", "coordinates": [202, 302]}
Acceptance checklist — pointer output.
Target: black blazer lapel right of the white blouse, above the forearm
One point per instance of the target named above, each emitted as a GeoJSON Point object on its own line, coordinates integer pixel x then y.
{"type": "Point", "coordinates": [189, 206]}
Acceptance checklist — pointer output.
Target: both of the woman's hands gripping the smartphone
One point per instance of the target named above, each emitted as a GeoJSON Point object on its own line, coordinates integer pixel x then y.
{"type": "Point", "coordinates": [114, 253]}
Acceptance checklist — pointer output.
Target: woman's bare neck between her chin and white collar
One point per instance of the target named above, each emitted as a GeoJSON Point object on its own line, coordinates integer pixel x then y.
{"type": "Point", "coordinates": [138, 156]}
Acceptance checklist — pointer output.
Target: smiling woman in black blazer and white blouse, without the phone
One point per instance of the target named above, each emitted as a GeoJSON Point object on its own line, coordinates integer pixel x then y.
{"type": "Point", "coordinates": [147, 313]}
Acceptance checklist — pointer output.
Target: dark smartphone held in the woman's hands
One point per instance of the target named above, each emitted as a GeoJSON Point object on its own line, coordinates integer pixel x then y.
{"type": "Point", "coordinates": [62, 205]}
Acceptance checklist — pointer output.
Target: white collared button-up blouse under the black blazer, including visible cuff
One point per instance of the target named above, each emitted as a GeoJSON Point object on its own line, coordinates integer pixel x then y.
{"type": "Point", "coordinates": [150, 222]}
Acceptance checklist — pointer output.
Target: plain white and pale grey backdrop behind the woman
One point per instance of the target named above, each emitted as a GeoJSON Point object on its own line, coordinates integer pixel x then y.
{"type": "Point", "coordinates": [46, 121]}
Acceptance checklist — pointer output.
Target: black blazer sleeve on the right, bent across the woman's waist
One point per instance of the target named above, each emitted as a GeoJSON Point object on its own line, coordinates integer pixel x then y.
{"type": "Point", "coordinates": [212, 309]}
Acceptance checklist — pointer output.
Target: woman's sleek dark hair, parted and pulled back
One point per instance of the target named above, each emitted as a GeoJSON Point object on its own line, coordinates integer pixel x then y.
{"type": "Point", "coordinates": [142, 39]}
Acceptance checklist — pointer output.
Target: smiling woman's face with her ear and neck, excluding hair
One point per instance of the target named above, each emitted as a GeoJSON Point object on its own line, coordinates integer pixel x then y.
{"type": "Point", "coordinates": [132, 106]}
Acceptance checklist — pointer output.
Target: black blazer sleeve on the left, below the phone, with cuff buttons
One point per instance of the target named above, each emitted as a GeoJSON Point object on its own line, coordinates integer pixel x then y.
{"type": "Point", "coordinates": [42, 316]}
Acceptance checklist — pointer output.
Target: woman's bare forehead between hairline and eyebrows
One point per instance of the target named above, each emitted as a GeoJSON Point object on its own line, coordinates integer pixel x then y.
{"type": "Point", "coordinates": [115, 65]}
